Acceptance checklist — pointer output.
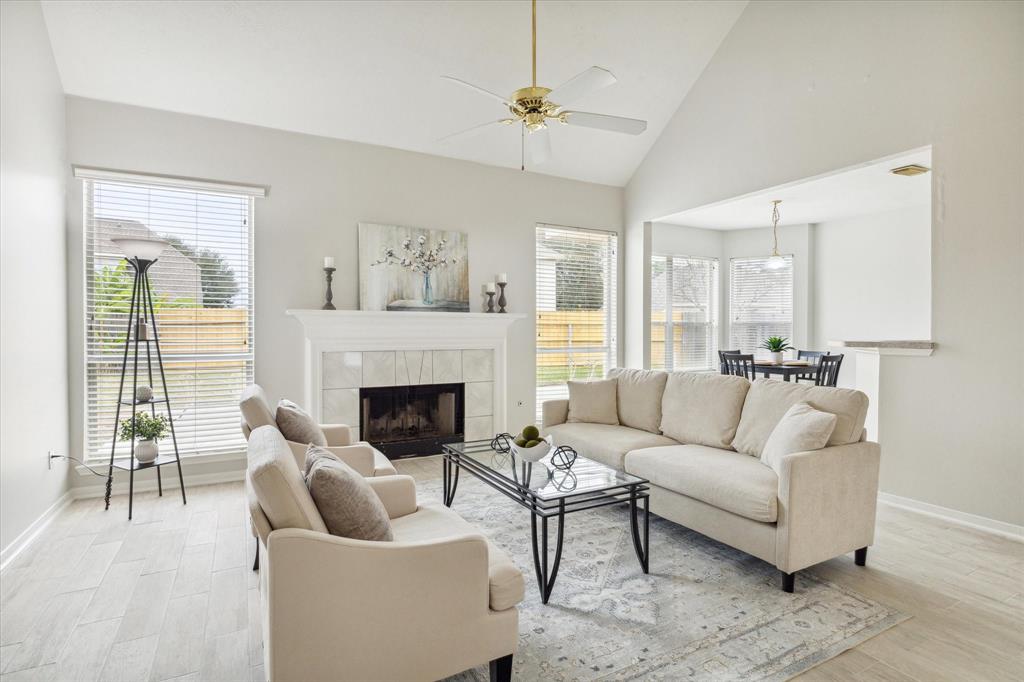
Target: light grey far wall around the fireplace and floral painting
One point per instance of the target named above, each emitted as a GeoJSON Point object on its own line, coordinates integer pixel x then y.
{"type": "Point", "coordinates": [320, 190]}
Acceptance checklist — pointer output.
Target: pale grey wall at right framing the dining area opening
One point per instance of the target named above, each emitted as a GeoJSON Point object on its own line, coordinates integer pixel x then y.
{"type": "Point", "coordinates": [800, 90]}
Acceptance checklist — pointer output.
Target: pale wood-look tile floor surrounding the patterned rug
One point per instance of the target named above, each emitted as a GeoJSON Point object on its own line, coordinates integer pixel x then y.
{"type": "Point", "coordinates": [172, 596]}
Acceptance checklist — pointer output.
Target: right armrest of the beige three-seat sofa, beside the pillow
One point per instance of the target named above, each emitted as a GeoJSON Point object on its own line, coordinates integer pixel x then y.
{"type": "Point", "coordinates": [828, 501]}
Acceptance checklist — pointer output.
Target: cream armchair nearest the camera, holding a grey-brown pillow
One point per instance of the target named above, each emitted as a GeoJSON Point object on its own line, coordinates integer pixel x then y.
{"type": "Point", "coordinates": [438, 601]}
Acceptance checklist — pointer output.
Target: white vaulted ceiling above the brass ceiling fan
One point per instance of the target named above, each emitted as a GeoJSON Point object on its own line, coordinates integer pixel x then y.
{"type": "Point", "coordinates": [370, 71]}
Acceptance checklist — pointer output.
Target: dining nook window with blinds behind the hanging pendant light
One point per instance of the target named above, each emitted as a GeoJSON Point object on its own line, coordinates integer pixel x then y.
{"type": "Point", "coordinates": [760, 303]}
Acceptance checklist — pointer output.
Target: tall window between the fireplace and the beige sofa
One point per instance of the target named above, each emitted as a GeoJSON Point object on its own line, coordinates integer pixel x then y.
{"type": "Point", "coordinates": [576, 308]}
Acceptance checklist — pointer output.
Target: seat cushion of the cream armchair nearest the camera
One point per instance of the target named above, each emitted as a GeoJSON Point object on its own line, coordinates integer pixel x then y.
{"type": "Point", "coordinates": [434, 521]}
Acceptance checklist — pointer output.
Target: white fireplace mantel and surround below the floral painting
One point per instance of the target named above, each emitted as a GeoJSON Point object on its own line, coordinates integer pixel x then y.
{"type": "Point", "coordinates": [363, 332]}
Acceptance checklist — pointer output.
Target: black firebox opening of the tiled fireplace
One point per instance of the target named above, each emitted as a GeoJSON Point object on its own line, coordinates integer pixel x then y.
{"type": "Point", "coordinates": [403, 421]}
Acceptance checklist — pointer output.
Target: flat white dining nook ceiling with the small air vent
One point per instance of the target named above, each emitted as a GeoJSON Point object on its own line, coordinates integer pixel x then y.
{"type": "Point", "coordinates": [861, 191]}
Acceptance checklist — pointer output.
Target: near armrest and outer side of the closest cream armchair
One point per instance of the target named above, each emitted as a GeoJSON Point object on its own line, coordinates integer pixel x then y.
{"type": "Point", "coordinates": [379, 611]}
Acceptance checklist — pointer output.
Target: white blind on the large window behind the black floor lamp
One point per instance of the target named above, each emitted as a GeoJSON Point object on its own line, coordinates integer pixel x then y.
{"type": "Point", "coordinates": [203, 294]}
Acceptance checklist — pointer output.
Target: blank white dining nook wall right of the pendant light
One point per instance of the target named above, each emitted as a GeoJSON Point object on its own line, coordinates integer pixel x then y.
{"type": "Point", "coordinates": [873, 280]}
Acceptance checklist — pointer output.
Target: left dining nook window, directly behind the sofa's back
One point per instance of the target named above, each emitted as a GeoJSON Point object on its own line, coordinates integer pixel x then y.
{"type": "Point", "coordinates": [684, 313]}
